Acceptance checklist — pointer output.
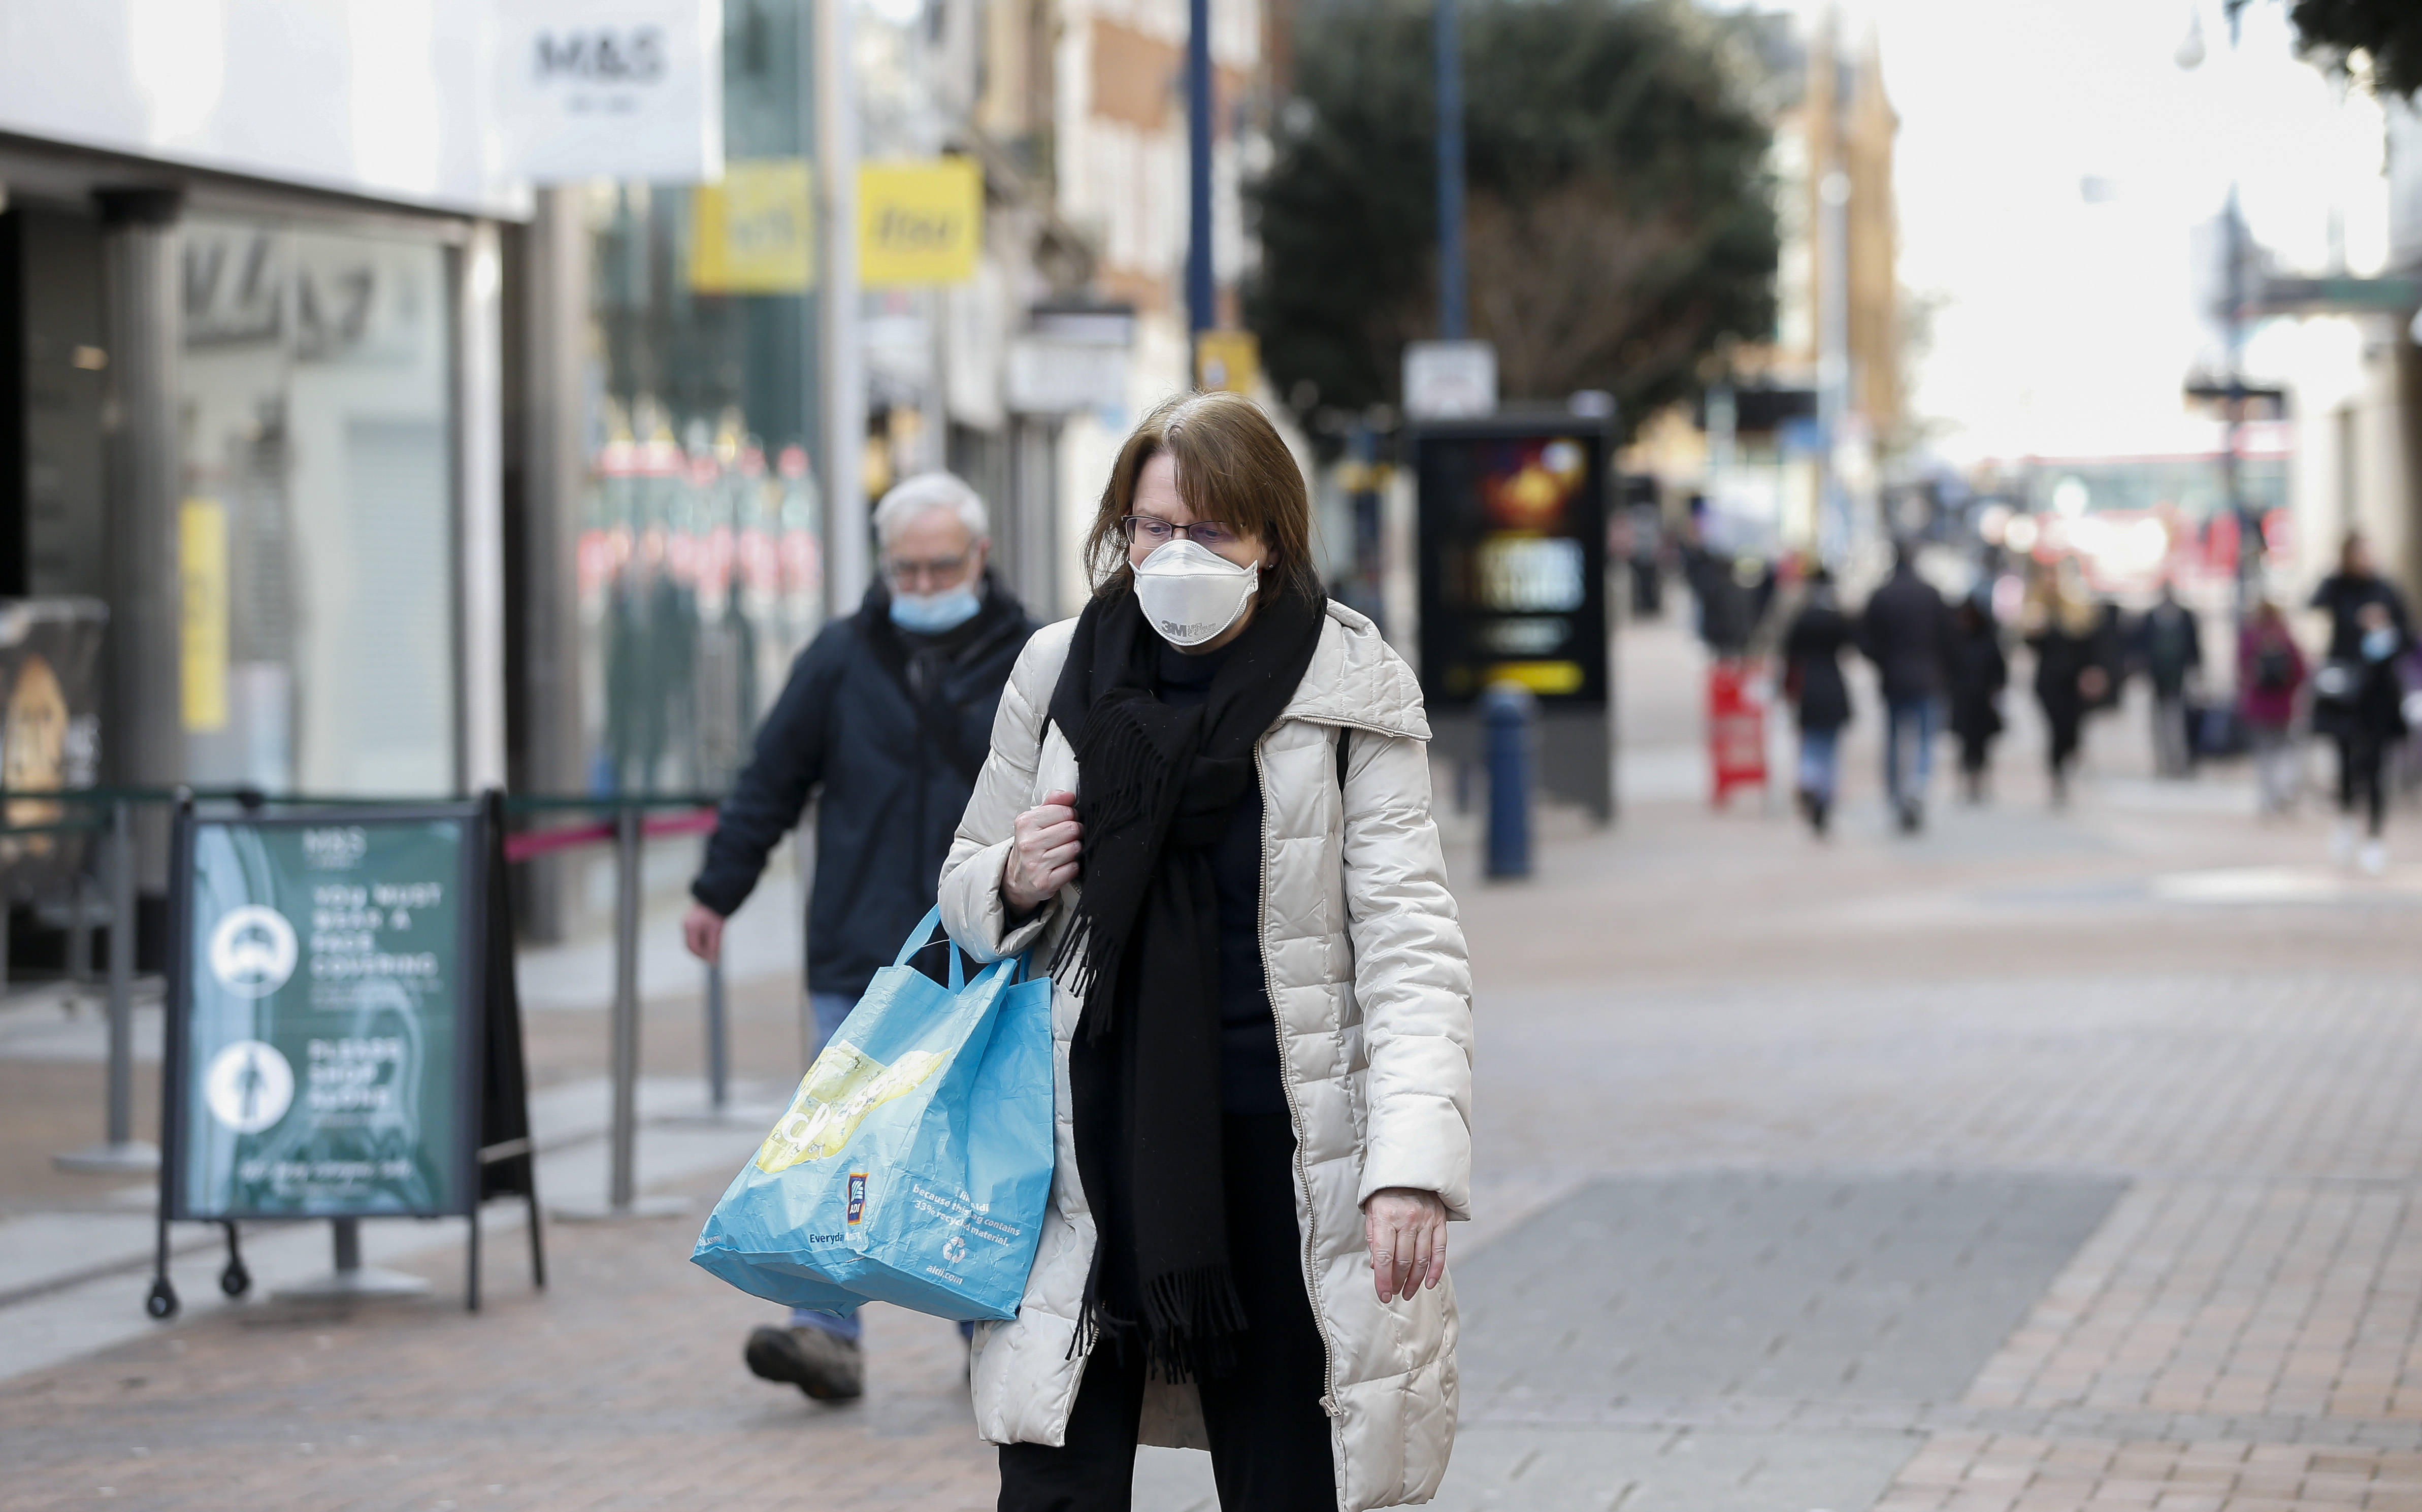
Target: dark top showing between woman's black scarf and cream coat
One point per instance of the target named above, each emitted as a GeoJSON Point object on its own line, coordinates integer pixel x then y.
{"type": "Point", "coordinates": [1246, 1024]}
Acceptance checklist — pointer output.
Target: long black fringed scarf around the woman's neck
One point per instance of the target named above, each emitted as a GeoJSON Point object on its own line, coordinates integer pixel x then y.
{"type": "Point", "coordinates": [1154, 796]}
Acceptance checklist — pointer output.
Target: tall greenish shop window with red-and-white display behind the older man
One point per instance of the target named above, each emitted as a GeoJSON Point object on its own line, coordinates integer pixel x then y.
{"type": "Point", "coordinates": [699, 571]}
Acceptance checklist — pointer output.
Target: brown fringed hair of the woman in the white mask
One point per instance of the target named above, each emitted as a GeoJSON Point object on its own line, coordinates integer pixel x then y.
{"type": "Point", "coordinates": [1232, 466]}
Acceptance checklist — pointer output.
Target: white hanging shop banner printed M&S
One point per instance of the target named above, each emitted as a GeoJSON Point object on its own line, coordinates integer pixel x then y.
{"type": "Point", "coordinates": [612, 91]}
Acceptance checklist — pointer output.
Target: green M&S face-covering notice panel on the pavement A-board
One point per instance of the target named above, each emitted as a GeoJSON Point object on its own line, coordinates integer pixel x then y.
{"type": "Point", "coordinates": [326, 1016]}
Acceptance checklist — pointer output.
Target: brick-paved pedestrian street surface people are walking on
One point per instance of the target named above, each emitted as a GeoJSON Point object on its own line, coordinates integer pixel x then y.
{"type": "Point", "coordinates": [2041, 1162]}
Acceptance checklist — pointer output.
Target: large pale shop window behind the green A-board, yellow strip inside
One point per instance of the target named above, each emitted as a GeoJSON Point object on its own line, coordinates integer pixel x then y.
{"type": "Point", "coordinates": [318, 520]}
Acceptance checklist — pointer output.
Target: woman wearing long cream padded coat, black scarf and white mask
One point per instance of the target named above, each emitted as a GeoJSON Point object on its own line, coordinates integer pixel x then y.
{"type": "Point", "coordinates": [1207, 808]}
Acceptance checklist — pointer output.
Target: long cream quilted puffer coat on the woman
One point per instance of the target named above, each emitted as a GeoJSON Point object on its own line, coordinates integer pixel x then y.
{"type": "Point", "coordinates": [1372, 1000]}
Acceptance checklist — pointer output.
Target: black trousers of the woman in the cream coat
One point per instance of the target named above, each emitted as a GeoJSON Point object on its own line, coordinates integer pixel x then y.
{"type": "Point", "coordinates": [1270, 1441]}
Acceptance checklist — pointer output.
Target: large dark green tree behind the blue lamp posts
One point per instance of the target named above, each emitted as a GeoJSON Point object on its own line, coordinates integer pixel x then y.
{"type": "Point", "coordinates": [1619, 217]}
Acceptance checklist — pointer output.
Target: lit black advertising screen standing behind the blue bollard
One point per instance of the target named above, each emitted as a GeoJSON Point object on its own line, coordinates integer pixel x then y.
{"type": "Point", "coordinates": [1513, 529]}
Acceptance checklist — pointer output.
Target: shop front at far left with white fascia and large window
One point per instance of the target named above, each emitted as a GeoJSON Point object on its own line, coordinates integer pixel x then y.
{"type": "Point", "coordinates": [253, 384]}
